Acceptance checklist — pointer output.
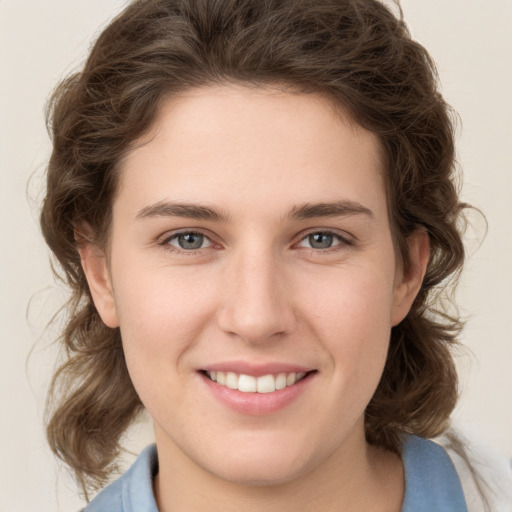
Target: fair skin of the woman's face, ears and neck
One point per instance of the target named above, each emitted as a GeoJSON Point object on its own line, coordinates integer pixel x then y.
{"type": "Point", "coordinates": [257, 290]}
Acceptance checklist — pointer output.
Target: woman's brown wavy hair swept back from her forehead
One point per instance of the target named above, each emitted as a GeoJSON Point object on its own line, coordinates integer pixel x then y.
{"type": "Point", "coordinates": [357, 53]}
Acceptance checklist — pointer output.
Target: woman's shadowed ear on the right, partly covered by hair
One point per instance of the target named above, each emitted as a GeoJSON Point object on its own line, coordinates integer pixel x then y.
{"type": "Point", "coordinates": [409, 282]}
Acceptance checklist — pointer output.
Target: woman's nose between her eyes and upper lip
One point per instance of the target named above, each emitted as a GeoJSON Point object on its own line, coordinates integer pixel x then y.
{"type": "Point", "coordinates": [257, 301]}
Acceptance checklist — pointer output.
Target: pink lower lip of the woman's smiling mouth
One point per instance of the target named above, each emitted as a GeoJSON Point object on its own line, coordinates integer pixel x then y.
{"type": "Point", "coordinates": [258, 404]}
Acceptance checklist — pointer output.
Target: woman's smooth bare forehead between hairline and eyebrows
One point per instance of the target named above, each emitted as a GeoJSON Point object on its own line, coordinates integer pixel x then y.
{"type": "Point", "coordinates": [257, 144]}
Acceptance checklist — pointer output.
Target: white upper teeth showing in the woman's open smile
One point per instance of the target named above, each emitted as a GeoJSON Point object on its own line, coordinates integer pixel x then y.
{"type": "Point", "coordinates": [250, 384]}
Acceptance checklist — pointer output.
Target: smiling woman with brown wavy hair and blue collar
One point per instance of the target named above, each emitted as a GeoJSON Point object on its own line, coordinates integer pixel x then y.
{"type": "Point", "coordinates": [254, 205]}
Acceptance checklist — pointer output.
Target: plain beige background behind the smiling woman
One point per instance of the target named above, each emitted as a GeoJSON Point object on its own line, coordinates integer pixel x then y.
{"type": "Point", "coordinates": [40, 41]}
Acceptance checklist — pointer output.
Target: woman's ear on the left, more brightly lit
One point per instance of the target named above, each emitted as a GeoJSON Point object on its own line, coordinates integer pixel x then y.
{"type": "Point", "coordinates": [94, 264]}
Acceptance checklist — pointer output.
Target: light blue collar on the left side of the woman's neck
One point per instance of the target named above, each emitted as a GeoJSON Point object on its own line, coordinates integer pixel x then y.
{"type": "Point", "coordinates": [133, 490]}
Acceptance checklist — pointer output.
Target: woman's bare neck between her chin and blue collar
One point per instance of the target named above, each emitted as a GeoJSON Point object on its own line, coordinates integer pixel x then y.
{"type": "Point", "coordinates": [358, 478]}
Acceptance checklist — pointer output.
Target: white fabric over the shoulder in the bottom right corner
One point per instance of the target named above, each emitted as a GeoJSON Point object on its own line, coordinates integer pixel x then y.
{"type": "Point", "coordinates": [486, 477]}
